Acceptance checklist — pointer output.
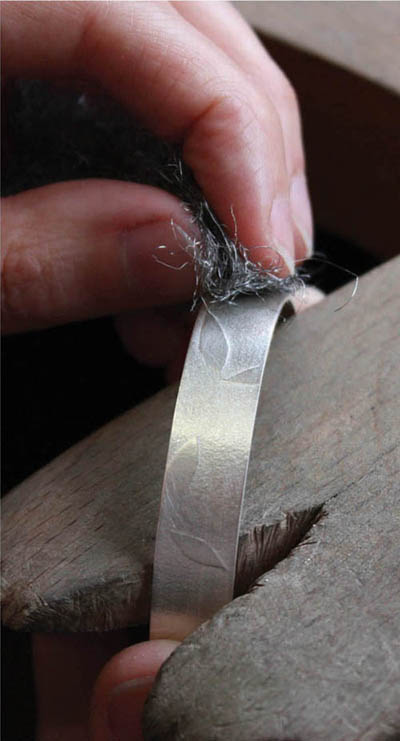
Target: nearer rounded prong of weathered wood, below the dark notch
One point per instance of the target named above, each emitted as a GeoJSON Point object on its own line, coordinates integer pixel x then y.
{"type": "Point", "coordinates": [313, 654]}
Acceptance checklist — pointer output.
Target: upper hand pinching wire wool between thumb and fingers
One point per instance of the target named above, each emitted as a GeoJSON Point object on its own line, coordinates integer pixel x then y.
{"type": "Point", "coordinates": [193, 72]}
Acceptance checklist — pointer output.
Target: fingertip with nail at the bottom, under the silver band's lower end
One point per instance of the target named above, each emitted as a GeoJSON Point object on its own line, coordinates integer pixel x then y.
{"type": "Point", "coordinates": [122, 688]}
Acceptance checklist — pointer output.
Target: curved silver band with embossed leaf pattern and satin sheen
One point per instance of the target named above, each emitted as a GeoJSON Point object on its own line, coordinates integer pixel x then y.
{"type": "Point", "coordinates": [208, 456]}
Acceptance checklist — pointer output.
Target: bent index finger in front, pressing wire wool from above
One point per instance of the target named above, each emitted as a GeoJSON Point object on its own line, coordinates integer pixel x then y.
{"type": "Point", "coordinates": [183, 87]}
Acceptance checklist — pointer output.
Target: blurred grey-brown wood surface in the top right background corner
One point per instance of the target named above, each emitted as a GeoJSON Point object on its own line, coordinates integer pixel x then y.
{"type": "Point", "coordinates": [362, 36]}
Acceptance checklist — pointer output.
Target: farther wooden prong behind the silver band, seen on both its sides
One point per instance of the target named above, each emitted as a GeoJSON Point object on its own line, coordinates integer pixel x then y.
{"type": "Point", "coordinates": [78, 536]}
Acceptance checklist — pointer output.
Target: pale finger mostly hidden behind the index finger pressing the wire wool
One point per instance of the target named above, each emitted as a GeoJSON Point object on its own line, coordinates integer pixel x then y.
{"type": "Point", "coordinates": [221, 23]}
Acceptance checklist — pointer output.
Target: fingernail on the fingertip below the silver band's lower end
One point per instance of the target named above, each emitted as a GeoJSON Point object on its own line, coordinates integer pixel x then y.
{"type": "Point", "coordinates": [125, 709]}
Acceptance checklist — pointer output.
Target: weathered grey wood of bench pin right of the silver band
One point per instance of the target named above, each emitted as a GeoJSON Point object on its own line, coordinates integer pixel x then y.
{"type": "Point", "coordinates": [313, 653]}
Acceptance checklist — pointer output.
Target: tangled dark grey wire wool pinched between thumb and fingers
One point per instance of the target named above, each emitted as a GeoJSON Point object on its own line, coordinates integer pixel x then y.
{"type": "Point", "coordinates": [62, 135]}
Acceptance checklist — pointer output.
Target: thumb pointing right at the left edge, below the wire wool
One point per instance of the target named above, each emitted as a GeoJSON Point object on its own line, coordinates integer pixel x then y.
{"type": "Point", "coordinates": [84, 249]}
